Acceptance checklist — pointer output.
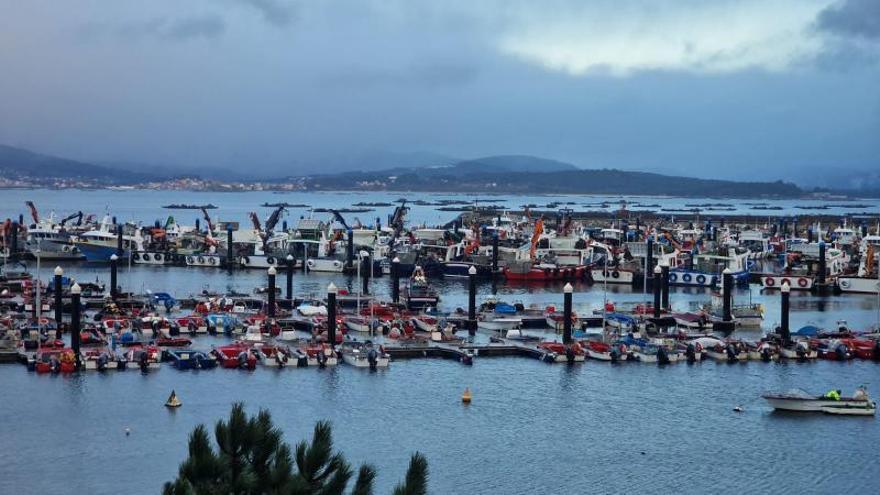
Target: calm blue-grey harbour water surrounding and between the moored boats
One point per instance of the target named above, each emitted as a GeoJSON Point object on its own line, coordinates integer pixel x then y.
{"type": "Point", "coordinates": [533, 427]}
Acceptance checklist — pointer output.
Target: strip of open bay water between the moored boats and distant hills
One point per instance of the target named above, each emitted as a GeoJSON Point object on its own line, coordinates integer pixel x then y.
{"type": "Point", "coordinates": [145, 205]}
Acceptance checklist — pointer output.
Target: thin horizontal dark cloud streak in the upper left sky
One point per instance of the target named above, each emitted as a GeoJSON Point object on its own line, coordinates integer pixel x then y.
{"type": "Point", "coordinates": [182, 29]}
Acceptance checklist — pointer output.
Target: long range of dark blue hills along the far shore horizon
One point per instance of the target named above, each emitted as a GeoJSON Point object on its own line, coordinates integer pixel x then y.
{"type": "Point", "coordinates": [416, 172]}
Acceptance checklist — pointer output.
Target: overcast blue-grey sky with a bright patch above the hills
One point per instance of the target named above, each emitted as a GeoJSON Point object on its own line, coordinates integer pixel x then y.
{"type": "Point", "coordinates": [742, 89]}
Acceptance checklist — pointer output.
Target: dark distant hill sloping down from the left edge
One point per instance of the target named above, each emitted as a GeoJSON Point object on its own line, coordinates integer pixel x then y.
{"type": "Point", "coordinates": [17, 162]}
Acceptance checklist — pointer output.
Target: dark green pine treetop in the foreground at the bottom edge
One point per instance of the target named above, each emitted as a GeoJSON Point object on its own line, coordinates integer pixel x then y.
{"type": "Point", "coordinates": [252, 459]}
